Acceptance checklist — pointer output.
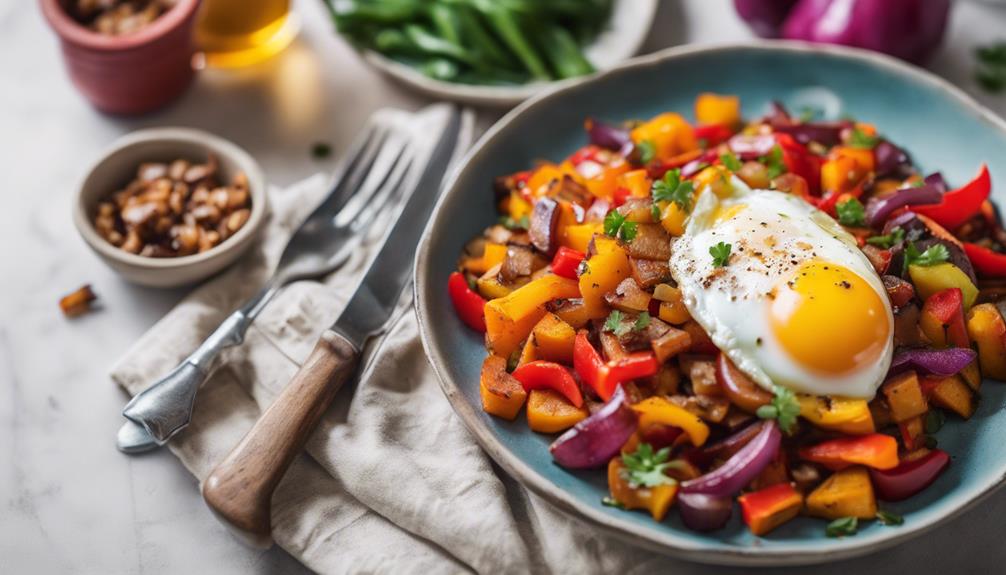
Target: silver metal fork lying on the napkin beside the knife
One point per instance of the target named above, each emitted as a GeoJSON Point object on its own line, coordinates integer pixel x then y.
{"type": "Point", "coordinates": [371, 178]}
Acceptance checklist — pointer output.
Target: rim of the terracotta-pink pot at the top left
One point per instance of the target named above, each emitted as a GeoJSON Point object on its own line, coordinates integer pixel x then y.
{"type": "Point", "coordinates": [71, 31]}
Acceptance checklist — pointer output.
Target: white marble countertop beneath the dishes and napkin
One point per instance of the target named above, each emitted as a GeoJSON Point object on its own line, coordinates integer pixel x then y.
{"type": "Point", "coordinates": [70, 503]}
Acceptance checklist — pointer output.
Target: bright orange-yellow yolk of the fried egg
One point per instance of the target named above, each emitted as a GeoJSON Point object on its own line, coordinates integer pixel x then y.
{"type": "Point", "coordinates": [829, 319]}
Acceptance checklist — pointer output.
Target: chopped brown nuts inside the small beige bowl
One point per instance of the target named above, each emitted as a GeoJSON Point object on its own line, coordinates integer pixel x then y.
{"type": "Point", "coordinates": [175, 209]}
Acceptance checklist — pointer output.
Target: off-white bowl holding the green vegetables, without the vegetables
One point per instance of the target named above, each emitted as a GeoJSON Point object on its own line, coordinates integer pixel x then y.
{"type": "Point", "coordinates": [620, 41]}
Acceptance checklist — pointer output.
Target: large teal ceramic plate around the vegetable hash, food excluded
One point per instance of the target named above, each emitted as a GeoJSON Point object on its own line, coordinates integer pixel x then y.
{"type": "Point", "coordinates": [943, 128]}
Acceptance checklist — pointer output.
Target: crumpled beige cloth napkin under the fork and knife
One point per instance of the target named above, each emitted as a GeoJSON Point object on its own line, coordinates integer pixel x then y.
{"type": "Point", "coordinates": [392, 480]}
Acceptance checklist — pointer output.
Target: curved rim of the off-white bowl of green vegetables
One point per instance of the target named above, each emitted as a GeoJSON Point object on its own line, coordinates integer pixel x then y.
{"type": "Point", "coordinates": [498, 96]}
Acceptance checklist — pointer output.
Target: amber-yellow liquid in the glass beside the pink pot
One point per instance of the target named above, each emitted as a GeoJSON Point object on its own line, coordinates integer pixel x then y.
{"type": "Point", "coordinates": [236, 34]}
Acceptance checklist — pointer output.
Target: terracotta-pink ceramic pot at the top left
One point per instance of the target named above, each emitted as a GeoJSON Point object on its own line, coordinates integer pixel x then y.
{"type": "Point", "coordinates": [133, 74]}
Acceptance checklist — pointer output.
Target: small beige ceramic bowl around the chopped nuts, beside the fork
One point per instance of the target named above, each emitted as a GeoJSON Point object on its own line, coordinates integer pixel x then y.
{"type": "Point", "coordinates": [117, 168]}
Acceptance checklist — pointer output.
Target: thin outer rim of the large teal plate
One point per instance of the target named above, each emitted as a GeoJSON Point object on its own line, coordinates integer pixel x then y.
{"type": "Point", "coordinates": [669, 543]}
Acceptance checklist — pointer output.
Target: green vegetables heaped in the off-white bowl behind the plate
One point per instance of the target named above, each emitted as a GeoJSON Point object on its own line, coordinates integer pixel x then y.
{"type": "Point", "coordinates": [478, 42]}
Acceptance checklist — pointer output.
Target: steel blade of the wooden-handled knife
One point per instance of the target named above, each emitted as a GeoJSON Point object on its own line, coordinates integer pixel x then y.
{"type": "Point", "coordinates": [379, 293]}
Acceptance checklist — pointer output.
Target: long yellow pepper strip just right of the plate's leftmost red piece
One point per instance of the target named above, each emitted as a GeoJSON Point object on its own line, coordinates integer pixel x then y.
{"type": "Point", "coordinates": [510, 320]}
